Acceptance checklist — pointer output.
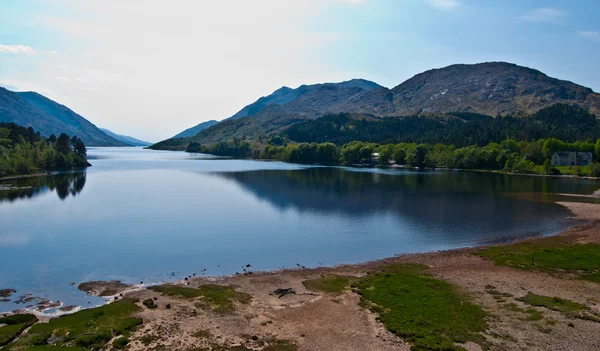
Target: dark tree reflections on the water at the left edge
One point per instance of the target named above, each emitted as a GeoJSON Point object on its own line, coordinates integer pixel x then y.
{"type": "Point", "coordinates": [65, 185]}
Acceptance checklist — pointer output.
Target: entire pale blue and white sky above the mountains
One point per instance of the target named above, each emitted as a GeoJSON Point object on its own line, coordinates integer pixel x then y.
{"type": "Point", "coordinates": [153, 68]}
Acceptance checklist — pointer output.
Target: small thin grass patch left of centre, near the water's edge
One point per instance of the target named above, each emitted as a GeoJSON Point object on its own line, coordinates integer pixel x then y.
{"type": "Point", "coordinates": [220, 298]}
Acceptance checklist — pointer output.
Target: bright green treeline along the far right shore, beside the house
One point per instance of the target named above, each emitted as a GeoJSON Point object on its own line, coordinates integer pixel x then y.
{"type": "Point", "coordinates": [509, 155]}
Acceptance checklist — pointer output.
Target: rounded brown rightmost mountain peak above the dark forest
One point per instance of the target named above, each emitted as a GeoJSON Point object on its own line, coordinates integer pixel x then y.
{"type": "Point", "coordinates": [488, 88]}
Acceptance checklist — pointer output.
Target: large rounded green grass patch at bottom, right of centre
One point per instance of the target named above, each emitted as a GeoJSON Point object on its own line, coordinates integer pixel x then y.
{"type": "Point", "coordinates": [425, 311]}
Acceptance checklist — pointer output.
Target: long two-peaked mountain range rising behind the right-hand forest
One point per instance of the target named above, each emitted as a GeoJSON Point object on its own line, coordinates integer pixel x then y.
{"type": "Point", "coordinates": [491, 88]}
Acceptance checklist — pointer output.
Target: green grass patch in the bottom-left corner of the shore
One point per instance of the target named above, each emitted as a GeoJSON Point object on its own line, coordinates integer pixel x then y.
{"type": "Point", "coordinates": [88, 329]}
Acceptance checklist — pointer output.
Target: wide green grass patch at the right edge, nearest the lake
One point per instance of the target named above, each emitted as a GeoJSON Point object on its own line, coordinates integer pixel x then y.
{"type": "Point", "coordinates": [552, 255]}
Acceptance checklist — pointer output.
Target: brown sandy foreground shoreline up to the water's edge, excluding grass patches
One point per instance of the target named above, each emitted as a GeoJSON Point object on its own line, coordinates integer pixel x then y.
{"type": "Point", "coordinates": [320, 320]}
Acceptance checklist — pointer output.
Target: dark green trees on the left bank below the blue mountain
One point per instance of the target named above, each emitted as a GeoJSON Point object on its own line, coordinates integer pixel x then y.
{"type": "Point", "coordinates": [24, 151]}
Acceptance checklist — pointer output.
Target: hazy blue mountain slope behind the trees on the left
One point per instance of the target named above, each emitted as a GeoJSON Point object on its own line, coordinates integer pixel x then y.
{"type": "Point", "coordinates": [31, 109]}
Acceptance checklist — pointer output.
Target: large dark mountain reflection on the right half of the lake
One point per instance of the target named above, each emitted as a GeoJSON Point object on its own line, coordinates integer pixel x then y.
{"type": "Point", "coordinates": [442, 201]}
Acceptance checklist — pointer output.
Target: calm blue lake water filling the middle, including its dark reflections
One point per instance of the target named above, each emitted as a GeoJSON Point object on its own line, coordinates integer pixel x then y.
{"type": "Point", "coordinates": [142, 215]}
